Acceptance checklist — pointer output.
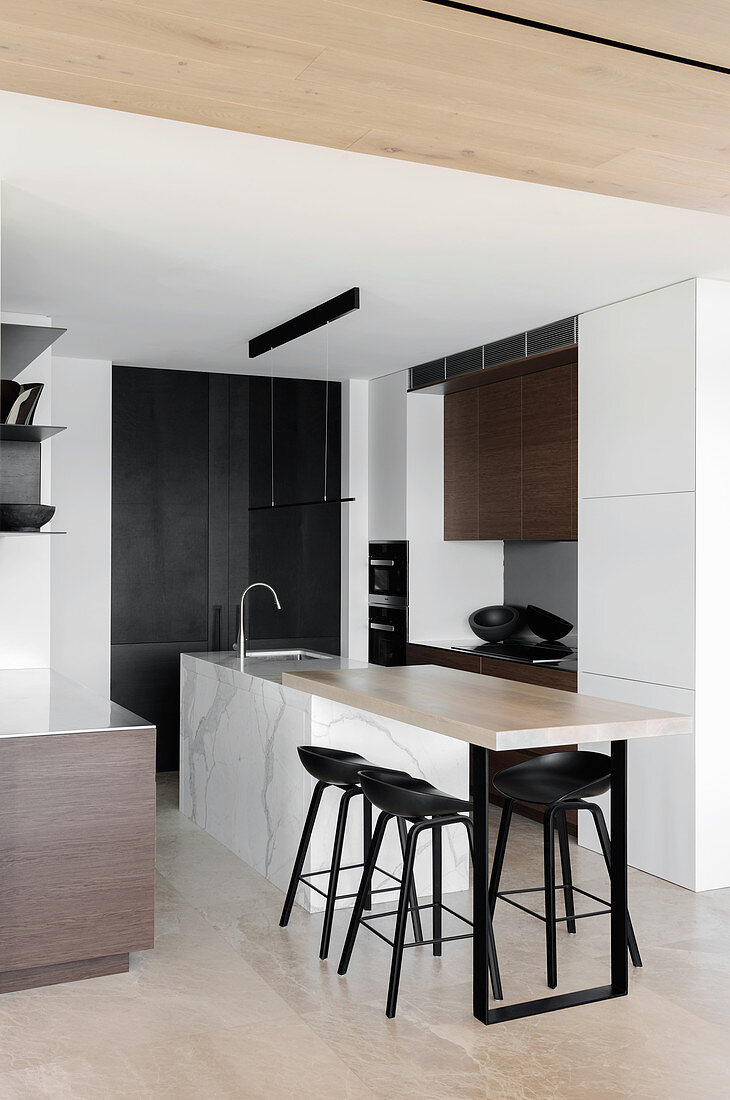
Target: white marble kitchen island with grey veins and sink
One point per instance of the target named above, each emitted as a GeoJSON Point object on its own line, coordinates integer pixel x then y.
{"type": "Point", "coordinates": [241, 779]}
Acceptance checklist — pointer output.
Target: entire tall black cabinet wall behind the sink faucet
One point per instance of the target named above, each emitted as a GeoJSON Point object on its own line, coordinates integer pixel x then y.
{"type": "Point", "coordinates": [191, 454]}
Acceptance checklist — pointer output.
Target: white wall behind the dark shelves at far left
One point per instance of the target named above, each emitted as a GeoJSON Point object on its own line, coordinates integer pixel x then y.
{"type": "Point", "coordinates": [26, 562]}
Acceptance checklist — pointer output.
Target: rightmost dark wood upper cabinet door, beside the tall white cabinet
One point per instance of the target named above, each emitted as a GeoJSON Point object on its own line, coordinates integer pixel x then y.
{"type": "Point", "coordinates": [548, 455]}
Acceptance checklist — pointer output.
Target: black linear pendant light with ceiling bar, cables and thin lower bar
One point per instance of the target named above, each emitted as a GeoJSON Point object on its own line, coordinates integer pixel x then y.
{"type": "Point", "coordinates": [320, 316]}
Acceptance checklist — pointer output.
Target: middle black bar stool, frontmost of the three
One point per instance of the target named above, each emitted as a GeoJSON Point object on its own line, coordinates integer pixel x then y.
{"type": "Point", "coordinates": [426, 808]}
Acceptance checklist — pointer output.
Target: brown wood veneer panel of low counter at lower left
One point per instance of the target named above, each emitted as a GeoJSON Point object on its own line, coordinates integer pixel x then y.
{"type": "Point", "coordinates": [78, 848]}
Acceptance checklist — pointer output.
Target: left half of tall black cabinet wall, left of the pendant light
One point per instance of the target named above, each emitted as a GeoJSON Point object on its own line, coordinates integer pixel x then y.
{"type": "Point", "coordinates": [180, 532]}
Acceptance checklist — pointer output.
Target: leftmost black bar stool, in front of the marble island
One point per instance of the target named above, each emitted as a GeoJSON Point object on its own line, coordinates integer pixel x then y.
{"type": "Point", "coordinates": [340, 769]}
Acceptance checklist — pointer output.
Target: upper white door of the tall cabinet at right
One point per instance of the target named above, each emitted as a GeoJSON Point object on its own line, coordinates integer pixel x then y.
{"type": "Point", "coordinates": [637, 395]}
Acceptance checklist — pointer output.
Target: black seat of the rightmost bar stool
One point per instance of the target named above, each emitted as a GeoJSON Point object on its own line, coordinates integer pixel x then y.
{"type": "Point", "coordinates": [555, 777]}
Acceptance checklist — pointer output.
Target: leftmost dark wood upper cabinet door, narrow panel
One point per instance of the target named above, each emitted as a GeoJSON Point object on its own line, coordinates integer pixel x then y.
{"type": "Point", "coordinates": [461, 467]}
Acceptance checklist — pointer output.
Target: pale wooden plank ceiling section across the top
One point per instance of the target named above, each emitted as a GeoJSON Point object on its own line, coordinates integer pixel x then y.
{"type": "Point", "coordinates": [412, 81]}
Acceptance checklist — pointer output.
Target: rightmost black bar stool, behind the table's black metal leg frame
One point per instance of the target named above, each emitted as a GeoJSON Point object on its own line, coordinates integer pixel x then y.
{"type": "Point", "coordinates": [559, 782]}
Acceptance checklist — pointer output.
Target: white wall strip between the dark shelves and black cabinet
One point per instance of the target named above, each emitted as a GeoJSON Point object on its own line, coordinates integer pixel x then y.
{"type": "Point", "coordinates": [81, 568]}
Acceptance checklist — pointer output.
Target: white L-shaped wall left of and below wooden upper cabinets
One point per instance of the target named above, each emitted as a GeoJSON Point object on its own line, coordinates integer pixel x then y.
{"type": "Point", "coordinates": [448, 580]}
